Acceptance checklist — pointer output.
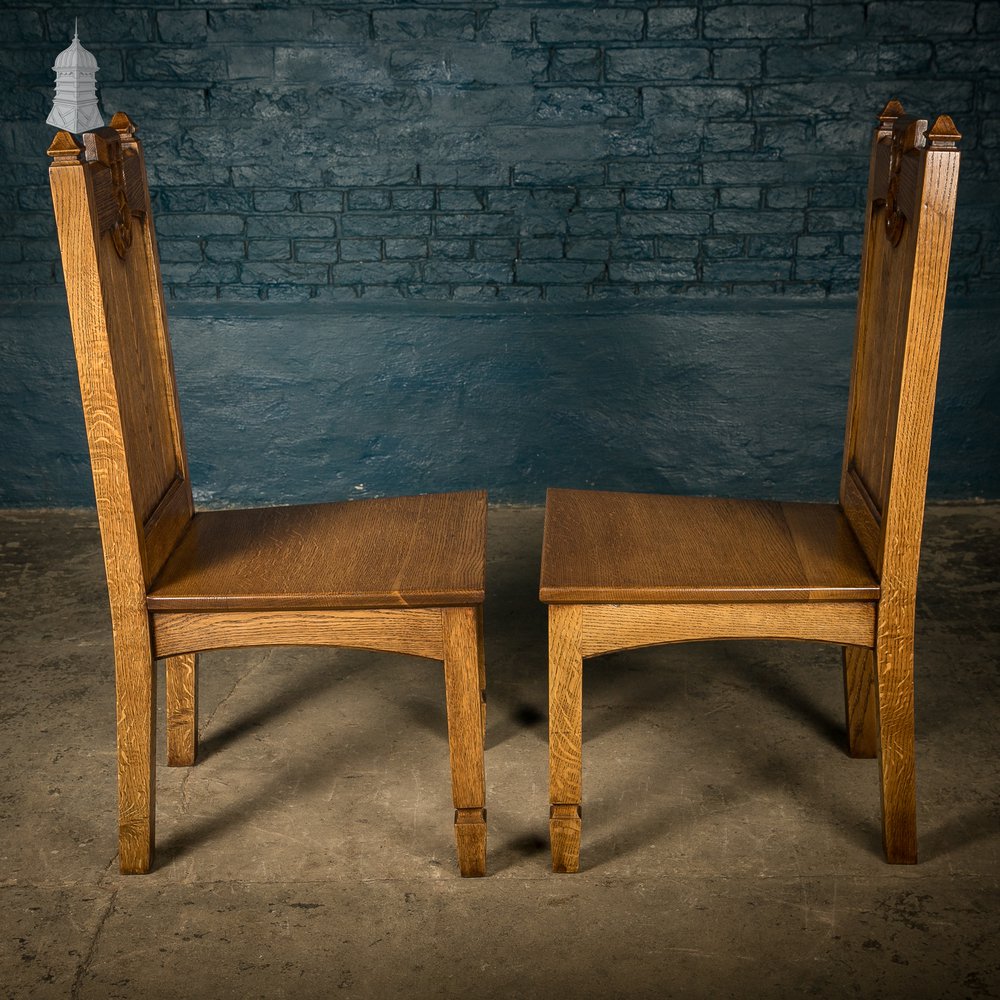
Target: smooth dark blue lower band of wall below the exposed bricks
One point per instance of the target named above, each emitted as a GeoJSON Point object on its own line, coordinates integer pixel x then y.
{"type": "Point", "coordinates": [307, 403]}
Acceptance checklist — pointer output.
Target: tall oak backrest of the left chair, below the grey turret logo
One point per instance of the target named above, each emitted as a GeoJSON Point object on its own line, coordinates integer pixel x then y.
{"type": "Point", "coordinates": [115, 294]}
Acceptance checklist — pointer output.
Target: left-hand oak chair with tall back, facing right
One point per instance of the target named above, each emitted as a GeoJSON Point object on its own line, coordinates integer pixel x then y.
{"type": "Point", "coordinates": [404, 575]}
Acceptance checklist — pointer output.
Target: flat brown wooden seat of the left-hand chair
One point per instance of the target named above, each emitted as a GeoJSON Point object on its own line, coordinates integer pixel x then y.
{"type": "Point", "coordinates": [400, 551]}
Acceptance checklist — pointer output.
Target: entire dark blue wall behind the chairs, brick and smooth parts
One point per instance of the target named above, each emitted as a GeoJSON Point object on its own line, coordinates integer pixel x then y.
{"type": "Point", "coordinates": [503, 244]}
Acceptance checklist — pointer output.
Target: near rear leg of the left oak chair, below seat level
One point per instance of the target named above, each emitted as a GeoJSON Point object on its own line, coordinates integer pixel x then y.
{"type": "Point", "coordinates": [135, 703]}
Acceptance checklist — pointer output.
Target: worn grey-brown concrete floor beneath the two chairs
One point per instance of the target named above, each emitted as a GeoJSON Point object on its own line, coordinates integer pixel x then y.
{"type": "Point", "coordinates": [731, 849]}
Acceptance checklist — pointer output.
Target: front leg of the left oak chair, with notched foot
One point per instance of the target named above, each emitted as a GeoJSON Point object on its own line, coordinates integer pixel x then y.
{"type": "Point", "coordinates": [464, 696]}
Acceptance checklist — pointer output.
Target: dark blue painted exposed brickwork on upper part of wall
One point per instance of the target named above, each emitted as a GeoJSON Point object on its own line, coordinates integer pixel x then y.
{"type": "Point", "coordinates": [505, 151]}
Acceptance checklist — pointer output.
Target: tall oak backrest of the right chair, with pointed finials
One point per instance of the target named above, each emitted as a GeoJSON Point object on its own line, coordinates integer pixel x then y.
{"type": "Point", "coordinates": [904, 269]}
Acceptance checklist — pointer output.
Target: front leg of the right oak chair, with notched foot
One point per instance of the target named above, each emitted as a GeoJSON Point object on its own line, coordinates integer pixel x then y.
{"type": "Point", "coordinates": [565, 736]}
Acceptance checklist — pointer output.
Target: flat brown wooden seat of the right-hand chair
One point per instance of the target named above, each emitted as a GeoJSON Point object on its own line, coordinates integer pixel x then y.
{"type": "Point", "coordinates": [642, 548]}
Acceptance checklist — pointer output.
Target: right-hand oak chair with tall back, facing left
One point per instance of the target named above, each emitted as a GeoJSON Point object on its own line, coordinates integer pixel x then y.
{"type": "Point", "coordinates": [623, 570]}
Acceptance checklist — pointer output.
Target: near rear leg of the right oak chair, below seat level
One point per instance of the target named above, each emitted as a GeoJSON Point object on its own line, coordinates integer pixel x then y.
{"type": "Point", "coordinates": [896, 758]}
